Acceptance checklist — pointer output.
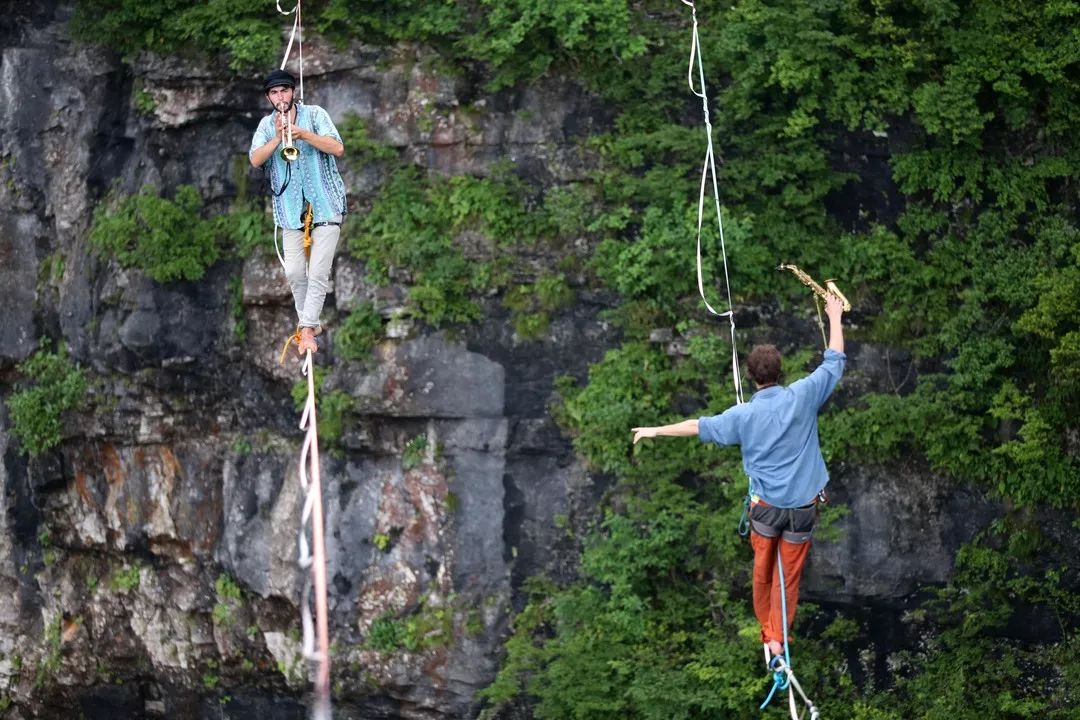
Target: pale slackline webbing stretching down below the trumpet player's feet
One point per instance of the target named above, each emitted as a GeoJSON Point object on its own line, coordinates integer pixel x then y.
{"type": "Point", "coordinates": [314, 555]}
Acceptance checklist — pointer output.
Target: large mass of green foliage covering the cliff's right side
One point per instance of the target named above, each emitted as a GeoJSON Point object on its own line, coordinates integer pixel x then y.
{"type": "Point", "coordinates": [924, 154]}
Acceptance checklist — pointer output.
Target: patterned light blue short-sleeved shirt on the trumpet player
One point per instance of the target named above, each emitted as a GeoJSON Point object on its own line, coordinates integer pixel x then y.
{"type": "Point", "coordinates": [314, 178]}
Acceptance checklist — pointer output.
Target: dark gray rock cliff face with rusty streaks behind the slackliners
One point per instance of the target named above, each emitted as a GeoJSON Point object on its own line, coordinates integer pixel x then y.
{"type": "Point", "coordinates": [147, 566]}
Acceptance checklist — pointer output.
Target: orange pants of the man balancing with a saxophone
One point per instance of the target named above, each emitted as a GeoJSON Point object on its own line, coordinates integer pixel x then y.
{"type": "Point", "coordinates": [767, 601]}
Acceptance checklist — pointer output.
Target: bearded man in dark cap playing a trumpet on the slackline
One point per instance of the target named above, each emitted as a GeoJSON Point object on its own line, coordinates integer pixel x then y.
{"type": "Point", "coordinates": [304, 179]}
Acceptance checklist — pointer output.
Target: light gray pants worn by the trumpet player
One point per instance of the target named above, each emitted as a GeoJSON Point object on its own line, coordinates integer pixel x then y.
{"type": "Point", "coordinates": [310, 278]}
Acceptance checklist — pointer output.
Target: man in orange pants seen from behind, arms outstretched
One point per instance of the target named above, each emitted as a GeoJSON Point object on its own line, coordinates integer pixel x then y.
{"type": "Point", "coordinates": [778, 434]}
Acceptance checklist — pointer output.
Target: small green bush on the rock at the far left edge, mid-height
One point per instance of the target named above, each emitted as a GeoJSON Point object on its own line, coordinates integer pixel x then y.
{"type": "Point", "coordinates": [37, 412]}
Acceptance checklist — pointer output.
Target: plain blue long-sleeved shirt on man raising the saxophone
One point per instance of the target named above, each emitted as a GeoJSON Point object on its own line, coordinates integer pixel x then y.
{"type": "Point", "coordinates": [778, 433]}
